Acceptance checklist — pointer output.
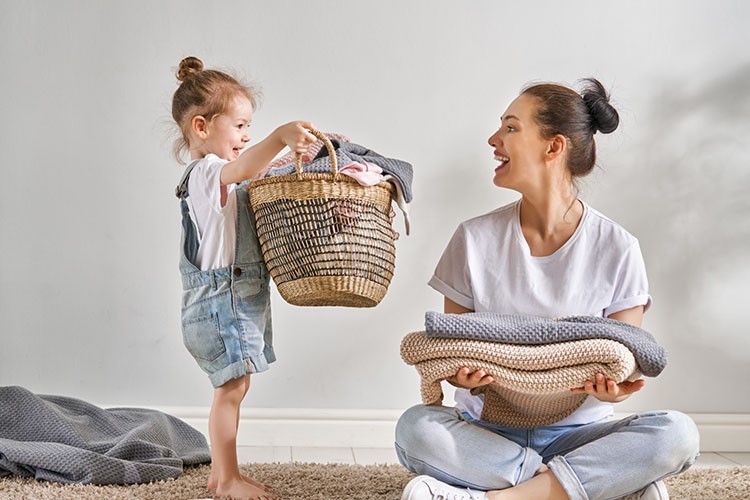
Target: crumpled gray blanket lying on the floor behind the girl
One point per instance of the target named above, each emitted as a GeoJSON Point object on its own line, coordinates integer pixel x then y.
{"type": "Point", "coordinates": [67, 440]}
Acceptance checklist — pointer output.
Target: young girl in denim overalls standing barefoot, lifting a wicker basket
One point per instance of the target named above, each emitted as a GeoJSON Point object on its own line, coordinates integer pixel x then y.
{"type": "Point", "coordinates": [226, 311]}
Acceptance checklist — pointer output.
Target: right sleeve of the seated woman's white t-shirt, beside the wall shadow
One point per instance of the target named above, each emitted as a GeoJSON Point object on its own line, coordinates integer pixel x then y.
{"type": "Point", "coordinates": [631, 287]}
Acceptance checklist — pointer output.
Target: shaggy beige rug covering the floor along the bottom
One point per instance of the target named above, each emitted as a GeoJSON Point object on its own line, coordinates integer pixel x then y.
{"type": "Point", "coordinates": [336, 482]}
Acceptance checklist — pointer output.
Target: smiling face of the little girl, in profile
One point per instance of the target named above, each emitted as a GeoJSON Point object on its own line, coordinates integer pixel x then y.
{"type": "Point", "coordinates": [227, 134]}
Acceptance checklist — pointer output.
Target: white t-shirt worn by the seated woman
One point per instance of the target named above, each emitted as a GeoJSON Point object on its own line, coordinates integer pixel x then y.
{"type": "Point", "coordinates": [488, 267]}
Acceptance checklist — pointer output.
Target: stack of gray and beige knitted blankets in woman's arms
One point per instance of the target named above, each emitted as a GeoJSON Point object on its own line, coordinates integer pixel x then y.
{"type": "Point", "coordinates": [534, 361]}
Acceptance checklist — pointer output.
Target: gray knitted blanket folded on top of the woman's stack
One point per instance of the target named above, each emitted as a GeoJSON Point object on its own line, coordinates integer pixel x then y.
{"type": "Point", "coordinates": [532, 330]}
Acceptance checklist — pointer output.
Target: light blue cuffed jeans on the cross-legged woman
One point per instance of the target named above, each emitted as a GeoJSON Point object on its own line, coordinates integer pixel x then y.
{"type": "Point", "coordinates": [600, 460]}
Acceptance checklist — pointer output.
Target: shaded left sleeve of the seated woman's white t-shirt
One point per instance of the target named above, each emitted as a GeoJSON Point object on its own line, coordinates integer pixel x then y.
{"type": "Point", "coordinates": [452, 277]}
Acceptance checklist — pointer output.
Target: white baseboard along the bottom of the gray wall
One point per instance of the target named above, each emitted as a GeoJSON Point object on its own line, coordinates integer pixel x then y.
{"type": "Point", "coordinates": [374, 428]}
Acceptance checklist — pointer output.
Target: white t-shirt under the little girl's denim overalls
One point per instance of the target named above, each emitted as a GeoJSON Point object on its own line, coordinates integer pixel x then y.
{"type": "Point", "coordinates": [217, 224]}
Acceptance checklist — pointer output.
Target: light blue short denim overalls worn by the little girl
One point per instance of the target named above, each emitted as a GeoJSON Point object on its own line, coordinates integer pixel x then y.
{"type": "Point", "coordinates": [226, 312]}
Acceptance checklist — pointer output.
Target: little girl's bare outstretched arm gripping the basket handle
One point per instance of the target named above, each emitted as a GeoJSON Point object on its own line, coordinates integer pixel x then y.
{"type": "Point", "coordinates": [256, 158]}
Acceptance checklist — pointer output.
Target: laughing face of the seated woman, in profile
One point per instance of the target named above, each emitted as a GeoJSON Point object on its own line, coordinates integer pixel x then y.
{"type": "Point", "coordinates": [519, 147]}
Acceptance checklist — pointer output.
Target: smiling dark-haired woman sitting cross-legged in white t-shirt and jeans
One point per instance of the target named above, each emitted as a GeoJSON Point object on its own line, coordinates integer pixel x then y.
{"type": "Point", "coordinates": [548, 254]}
